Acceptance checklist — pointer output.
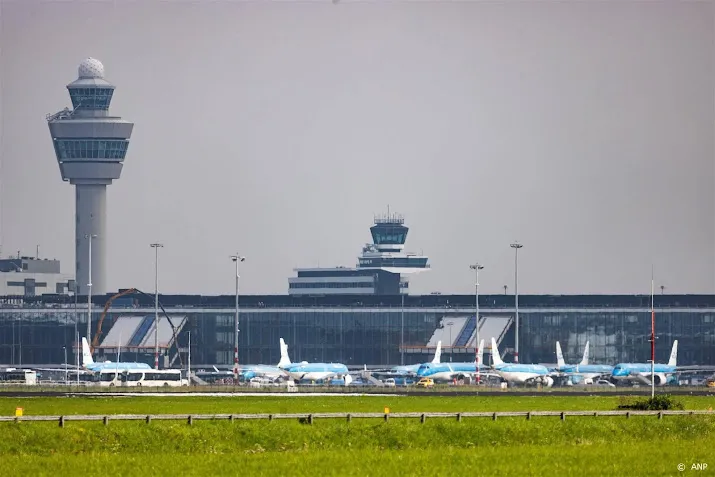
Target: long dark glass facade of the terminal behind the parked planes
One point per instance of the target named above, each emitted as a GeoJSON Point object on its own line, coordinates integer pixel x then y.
{"type": "Point", "coordinates": [366, 330]}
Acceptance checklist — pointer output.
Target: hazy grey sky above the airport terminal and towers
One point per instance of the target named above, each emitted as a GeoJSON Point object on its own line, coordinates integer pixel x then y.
{"type": "Point", "coordinates": [584, 130]}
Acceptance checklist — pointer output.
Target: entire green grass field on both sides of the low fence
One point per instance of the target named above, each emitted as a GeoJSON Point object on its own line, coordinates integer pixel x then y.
{"type": "Point", "coordinates": [509, 446]}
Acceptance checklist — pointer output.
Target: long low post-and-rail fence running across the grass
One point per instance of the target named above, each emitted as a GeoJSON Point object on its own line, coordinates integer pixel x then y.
{"type": "Point", "coordinates": [309, 418]}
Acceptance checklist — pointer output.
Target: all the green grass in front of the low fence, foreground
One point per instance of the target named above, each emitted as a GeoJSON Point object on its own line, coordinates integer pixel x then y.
{"type": "Point", "coordinates": [579, 446]}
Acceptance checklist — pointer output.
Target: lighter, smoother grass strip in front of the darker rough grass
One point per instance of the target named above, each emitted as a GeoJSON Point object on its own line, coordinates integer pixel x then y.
{"type": "Point", "coordinates": [521, 460]}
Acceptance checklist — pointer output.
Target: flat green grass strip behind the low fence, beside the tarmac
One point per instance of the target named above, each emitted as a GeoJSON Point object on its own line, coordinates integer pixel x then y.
{"type": "Point", "coordinates": [294, 404]}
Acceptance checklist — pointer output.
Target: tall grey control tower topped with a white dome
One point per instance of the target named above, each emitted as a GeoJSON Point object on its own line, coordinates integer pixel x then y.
{"type": "Point", "coordinates": [90, 146]}
